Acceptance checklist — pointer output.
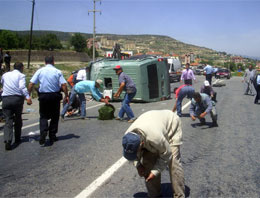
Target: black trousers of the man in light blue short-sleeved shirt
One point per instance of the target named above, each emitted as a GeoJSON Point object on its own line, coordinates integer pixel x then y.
{"type": "Point", "coordinates": [49, 109]}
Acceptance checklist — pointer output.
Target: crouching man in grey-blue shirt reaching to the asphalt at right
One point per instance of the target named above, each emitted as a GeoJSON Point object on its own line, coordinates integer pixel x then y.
{"type": "Point", "coordinates": [201, 105]}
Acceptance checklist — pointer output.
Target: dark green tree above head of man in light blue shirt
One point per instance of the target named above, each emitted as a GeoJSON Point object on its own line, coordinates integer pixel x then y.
{"type": "Point", "coordinates": [50, 42]}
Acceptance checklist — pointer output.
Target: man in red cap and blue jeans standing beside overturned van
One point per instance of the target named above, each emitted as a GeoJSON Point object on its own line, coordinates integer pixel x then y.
{"type": "Point", "coordinates": [126, 84]}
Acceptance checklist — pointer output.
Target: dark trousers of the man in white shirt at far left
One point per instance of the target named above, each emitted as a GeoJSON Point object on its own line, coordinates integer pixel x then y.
{"type": "Point", "coordinates": [12, 110]}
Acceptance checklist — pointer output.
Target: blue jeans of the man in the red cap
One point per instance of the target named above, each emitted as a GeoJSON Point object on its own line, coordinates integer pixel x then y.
{"type": "Point", "coordinates": [125, 108]}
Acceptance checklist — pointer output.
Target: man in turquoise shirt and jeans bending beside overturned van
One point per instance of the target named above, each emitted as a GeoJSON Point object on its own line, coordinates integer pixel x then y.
{"type": "Point", "coordinates": [80, 88]}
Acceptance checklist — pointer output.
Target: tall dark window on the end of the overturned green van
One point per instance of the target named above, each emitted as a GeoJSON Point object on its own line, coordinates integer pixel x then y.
{"type": "Point", "coordinates": [153, 81]}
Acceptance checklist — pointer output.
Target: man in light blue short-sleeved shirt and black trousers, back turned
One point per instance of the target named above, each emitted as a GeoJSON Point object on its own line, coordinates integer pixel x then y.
{"type": "Point", "coordinates": [51, 83]}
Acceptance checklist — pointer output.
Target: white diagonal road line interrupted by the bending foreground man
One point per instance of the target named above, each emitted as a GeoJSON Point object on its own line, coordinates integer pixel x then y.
{"type": "Point", "coordinates": [109, 172]}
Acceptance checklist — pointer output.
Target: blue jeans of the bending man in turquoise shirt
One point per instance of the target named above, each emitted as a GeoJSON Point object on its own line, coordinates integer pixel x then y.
{"type": "Point", "coordinates": [82, 100]}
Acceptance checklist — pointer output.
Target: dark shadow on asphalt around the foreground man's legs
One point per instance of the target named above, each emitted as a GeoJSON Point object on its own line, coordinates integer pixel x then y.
{"type": "Point", "coordinates": [166, 190]}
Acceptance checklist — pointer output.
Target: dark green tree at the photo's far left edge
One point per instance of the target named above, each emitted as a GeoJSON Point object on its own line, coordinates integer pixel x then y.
{"type": "Point", "coordinates": [8, 39]}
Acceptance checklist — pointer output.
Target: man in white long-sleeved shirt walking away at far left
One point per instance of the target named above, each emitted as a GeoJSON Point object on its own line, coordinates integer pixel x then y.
{"type": "Point", "coordinates": [14, 91]}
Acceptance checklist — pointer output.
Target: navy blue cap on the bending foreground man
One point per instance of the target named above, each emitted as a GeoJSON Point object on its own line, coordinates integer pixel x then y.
{"type": "Point", "coordinates": [131, 142]}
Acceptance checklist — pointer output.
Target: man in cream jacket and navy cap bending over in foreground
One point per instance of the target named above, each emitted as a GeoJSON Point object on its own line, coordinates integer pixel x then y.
{"type": "Point", "coordinates": [153, 142]}
